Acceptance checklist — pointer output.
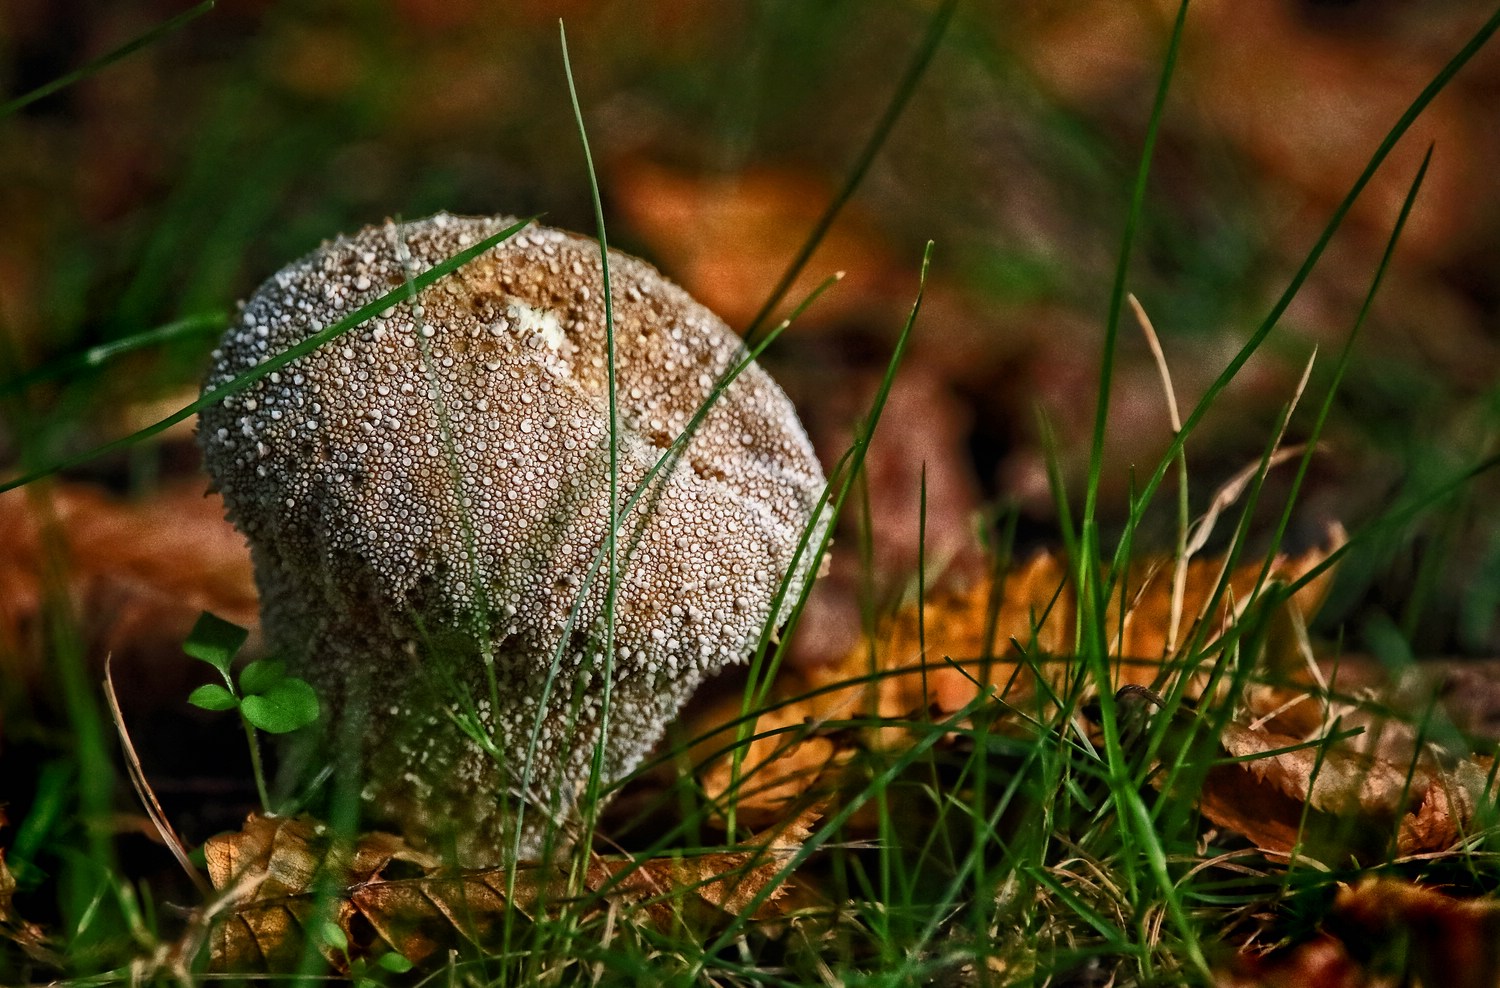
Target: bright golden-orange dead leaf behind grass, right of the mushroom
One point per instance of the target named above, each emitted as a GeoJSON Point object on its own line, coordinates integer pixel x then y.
{"type": "Point", "coordinates": [991, 636]}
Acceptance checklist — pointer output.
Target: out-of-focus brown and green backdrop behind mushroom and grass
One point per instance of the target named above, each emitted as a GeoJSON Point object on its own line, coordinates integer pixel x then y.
{"type": "Point", "coordinates": [172, 184]}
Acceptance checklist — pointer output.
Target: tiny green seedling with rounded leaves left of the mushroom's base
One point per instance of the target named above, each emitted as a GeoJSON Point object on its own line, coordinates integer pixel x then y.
{"type": "Point", "coordinates": [266, 698]}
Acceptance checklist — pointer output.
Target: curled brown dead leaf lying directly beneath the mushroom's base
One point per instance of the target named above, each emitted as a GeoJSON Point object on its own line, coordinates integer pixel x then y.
{"type": "Point", "coordinates": [289, 879]}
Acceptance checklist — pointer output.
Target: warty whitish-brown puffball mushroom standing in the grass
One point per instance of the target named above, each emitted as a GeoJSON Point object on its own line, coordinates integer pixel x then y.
{"type": "Point", "coordinates": [425, 498]}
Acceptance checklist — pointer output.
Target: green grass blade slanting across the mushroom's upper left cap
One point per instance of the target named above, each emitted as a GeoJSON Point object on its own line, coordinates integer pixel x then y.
{"type": "Point", "coordinates": [356, 319]}
